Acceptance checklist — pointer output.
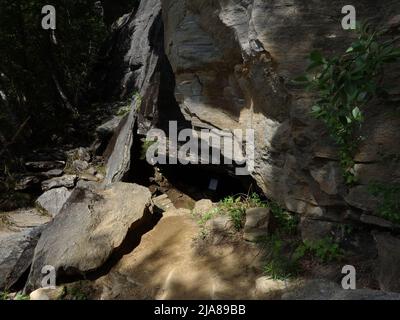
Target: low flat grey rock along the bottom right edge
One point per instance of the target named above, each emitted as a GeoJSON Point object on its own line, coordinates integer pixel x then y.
{"type": "Point", "coordinates": [325, 290]}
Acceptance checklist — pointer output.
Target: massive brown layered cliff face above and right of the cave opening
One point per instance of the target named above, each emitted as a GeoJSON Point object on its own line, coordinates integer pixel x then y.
{"type": "Point", "coordinates": [233, 62]}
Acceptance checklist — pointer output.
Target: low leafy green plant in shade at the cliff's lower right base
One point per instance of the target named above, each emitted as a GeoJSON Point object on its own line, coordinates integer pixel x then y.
{"type": "Point", "coordinates": [325, 250]}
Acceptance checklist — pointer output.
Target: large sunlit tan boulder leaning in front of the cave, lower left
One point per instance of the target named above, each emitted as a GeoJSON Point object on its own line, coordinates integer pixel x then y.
{"type": "Point", "coordinates": [91, 225]}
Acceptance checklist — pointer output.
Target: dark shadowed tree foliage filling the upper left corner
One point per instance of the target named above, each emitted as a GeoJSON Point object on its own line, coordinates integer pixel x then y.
{"type": "Point", "coordinates": [44, 73]}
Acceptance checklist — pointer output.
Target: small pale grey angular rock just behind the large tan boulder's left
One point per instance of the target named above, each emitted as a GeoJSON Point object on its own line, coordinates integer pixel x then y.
{"type": "Point", "coordinates": [53, 200]}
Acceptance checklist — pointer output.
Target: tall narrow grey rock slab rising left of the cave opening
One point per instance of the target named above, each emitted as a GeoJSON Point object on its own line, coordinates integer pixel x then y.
{"type": "Point", "coordinates": [133, 67]}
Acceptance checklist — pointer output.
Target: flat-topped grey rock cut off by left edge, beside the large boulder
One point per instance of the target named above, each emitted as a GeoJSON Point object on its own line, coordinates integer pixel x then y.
{"type": "Point", "coordinates": [19, 233]}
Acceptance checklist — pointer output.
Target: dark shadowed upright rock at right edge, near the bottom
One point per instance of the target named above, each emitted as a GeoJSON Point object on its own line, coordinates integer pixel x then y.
{"type": "Point", "coordinates": [389, 261]}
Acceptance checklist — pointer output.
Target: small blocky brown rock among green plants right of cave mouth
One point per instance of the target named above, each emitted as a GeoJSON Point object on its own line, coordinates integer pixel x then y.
{"type": "Point", "coordinates": [257, 221]}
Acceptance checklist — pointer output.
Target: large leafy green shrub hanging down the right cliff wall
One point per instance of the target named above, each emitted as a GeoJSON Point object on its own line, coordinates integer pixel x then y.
{"type": "Point", "coordinates": [345, 84]}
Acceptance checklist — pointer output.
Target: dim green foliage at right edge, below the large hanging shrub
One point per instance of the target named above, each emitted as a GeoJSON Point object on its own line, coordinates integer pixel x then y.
{"type": "Point", "coordinates": [389, 200]}
